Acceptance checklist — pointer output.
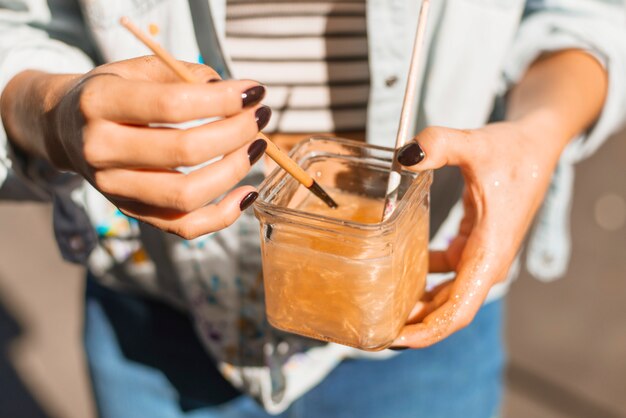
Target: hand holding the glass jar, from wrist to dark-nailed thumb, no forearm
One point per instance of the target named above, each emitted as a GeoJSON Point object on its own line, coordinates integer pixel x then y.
{"type": "Point", "coordinates": [507, 171]}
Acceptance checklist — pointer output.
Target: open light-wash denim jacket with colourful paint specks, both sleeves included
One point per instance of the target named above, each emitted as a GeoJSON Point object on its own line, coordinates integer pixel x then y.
{"type": "Point", "coordinates": [476, 50]}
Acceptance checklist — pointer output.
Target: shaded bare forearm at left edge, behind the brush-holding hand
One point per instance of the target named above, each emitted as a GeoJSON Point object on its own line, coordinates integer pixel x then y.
{"type": "Point", "coordinates": [25, 105]}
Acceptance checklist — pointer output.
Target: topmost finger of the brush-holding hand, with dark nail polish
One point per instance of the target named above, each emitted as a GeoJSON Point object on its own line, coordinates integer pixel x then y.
{"type": "Point", "coordinates": [141, 102]}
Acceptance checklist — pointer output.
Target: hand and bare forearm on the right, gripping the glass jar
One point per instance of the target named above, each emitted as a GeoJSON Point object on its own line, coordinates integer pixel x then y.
{"type": "Point", "coordinates": [507, 168]}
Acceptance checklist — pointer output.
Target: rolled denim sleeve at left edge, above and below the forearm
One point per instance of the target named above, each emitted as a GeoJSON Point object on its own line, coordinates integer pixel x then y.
{"type": "Point", "coordinates": [32, 36]}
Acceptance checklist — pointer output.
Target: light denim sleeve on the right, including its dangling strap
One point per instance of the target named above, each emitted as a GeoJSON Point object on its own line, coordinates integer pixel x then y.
{"type": "Point", "coordinates": [598, 27]}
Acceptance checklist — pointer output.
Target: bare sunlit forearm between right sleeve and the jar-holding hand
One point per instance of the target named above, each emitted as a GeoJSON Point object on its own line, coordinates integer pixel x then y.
{"type": "Point", "coordinates": [559, 97]}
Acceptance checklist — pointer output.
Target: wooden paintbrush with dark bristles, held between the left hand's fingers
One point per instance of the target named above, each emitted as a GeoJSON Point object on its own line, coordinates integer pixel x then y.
{"type": "Point", "coordinates": [282, 159]}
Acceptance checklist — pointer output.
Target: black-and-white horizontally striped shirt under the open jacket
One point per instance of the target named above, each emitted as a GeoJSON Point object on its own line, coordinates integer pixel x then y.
{"type": "Point", "coordinates": [312, 55]}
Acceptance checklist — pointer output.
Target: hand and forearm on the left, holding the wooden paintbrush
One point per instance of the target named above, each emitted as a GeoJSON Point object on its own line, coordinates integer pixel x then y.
{"type": "Point", "coordinates": [101, 126]}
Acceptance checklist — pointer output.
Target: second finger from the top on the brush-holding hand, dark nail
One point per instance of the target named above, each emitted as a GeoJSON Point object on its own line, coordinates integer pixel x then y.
{"type": "Point", "coordinates": [110, 145]}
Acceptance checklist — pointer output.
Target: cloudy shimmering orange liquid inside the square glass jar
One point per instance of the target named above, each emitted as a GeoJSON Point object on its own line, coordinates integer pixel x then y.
{"type": "Point", "coordinates": [346, 290]}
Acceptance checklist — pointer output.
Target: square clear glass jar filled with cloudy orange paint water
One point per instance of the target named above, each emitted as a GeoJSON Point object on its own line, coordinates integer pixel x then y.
{"type": "Point", "coordinates": [352, 282]}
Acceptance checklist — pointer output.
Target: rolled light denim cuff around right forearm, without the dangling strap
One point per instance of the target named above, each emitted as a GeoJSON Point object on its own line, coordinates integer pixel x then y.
{"type": "Point", "coordinates": [597, 26]}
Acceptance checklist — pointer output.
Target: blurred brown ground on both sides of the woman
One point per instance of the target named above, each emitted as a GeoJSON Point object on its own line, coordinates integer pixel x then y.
{"type": "Point", "coordinates": [567, 339]}
